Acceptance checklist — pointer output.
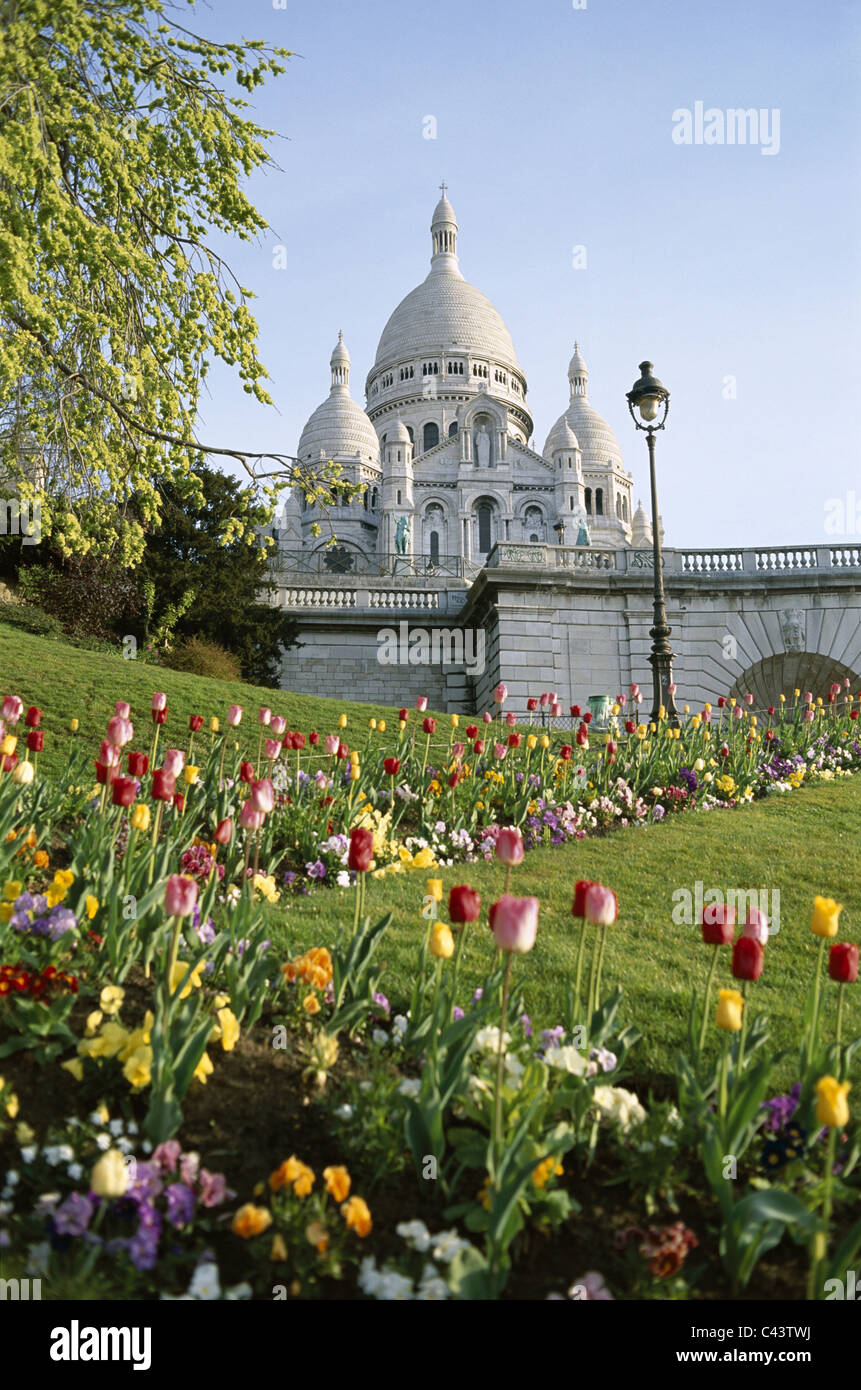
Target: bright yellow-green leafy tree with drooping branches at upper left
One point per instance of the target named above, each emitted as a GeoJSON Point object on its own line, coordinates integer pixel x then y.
{"type": "Point", "coordinates": [120, 158]}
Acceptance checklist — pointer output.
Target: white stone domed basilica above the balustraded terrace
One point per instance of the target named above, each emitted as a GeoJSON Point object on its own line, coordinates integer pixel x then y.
{"type": "Point", "coordinates": [443, 444]}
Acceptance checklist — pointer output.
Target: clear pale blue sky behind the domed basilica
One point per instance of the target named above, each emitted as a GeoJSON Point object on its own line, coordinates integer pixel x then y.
{"type": "Point", "coordinates": [554, 130]}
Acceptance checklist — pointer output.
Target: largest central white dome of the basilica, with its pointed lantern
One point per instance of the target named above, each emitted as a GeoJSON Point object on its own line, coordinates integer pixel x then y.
{"type": "Point", "coordinates": [446, 313]}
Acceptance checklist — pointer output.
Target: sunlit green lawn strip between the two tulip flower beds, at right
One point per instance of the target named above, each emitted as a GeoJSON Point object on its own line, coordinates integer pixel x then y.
{"type": "Point", "coordinates": [800, 846]}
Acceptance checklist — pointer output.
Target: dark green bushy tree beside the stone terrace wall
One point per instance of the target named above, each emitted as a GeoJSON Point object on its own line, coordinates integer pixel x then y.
{"type": "Point", "coordinates": [219, 591]}
